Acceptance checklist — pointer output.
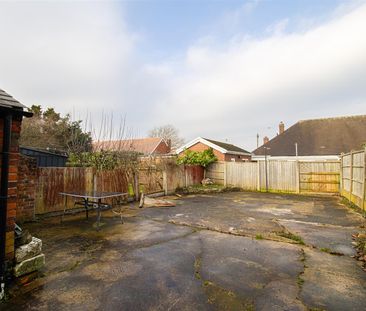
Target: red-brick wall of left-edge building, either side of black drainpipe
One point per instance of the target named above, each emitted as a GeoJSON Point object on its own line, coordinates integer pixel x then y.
{"type": "Point", "coordinates": [12, 187]}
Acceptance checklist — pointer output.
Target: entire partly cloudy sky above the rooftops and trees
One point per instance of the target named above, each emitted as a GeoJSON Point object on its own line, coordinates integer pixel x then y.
{"type": "Point", "coordinates": [225, 70]}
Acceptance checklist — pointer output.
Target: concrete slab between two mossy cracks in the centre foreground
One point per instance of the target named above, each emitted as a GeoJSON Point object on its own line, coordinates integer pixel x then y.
{"type": "Point", "coordinates": [262, 272]}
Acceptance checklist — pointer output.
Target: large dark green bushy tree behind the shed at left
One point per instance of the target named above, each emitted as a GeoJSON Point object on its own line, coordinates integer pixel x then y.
{"type": "Point", "coordinates": [47, 129]}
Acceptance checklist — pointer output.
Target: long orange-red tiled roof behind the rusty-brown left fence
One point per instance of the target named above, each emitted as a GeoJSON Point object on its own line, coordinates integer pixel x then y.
{"type": "Point", "coordinates": [145, 146]}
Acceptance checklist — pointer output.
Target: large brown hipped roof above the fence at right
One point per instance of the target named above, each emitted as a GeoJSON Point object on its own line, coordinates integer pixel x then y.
{"type": "Point", "coordinates": [329, 136]}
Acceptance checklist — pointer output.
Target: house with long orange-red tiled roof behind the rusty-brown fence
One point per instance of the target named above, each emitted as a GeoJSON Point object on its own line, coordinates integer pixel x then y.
{"type": "Point", "coordinates": [143, 146]}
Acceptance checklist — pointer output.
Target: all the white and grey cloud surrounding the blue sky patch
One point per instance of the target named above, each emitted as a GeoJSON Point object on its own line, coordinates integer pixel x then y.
{"type": "Point", "coordinates": [83, 57]}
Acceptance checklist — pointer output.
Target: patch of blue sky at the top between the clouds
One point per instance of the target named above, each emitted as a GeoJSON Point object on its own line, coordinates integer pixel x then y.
{"type": "Point", "coordinates": [168, 27]}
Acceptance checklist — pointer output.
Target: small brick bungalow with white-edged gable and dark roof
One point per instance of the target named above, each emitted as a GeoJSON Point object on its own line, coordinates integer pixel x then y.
{"type": "Point", "coordinates": [223, 151]}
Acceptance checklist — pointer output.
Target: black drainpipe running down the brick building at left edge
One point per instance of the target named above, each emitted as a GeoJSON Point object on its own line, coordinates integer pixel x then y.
{"type": "Point", "coordinates": [4, 194]}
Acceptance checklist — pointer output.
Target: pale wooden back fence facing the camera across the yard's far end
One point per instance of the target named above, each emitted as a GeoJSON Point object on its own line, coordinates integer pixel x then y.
{"type": "Point", "coordinates": [281, 176]}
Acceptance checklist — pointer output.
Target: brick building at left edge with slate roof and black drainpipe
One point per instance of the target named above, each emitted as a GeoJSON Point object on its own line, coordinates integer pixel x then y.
{"type": "Point", "coordinates": [11, 115]}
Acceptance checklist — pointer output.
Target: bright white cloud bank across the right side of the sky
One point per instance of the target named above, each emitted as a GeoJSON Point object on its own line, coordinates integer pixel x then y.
{"type": "Point", "coordinates": [239, 90]}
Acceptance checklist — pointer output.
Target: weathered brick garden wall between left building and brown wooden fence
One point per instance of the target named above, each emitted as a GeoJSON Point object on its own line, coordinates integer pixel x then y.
{"type": "Point", "coordinates": [26, 190]}
